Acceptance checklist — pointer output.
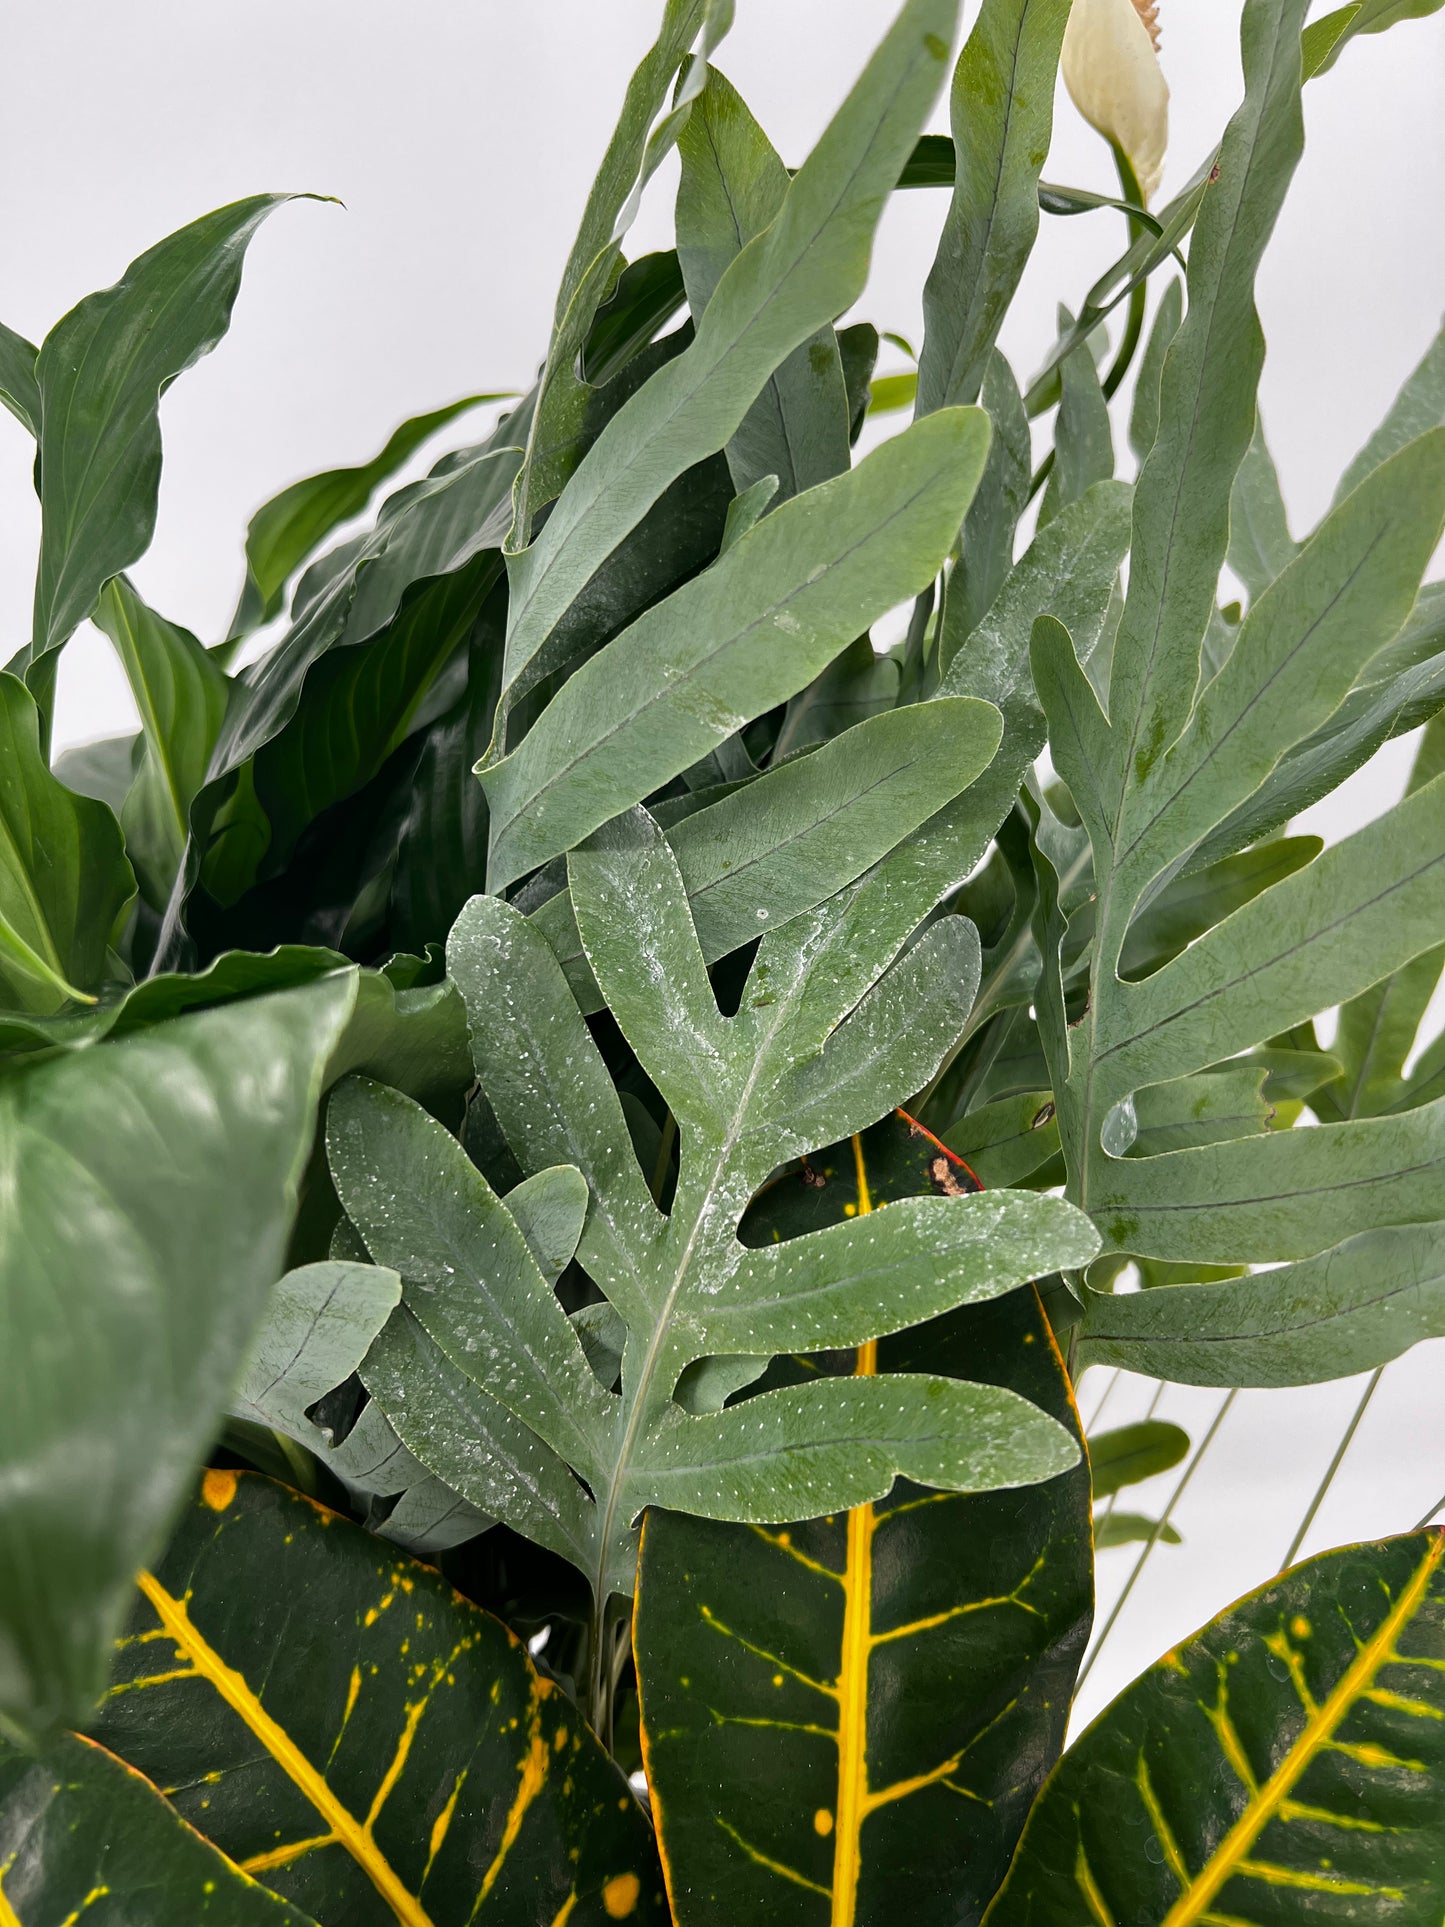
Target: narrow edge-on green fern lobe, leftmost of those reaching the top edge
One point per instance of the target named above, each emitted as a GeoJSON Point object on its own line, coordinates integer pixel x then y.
{"type": "Point", "coordinates": [639, 145]}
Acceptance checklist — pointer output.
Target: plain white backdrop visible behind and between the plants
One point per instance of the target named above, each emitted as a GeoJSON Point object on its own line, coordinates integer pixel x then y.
{"type": "Point", "coordinates": [461, 138]}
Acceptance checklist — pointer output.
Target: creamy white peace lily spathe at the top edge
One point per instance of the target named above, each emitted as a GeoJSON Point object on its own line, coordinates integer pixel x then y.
{"type": "Point", "coordinates": [1115, 78]}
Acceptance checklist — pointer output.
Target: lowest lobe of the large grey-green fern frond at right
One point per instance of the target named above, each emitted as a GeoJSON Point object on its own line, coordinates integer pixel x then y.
{"type": "Point", "coordinates": [1346, 1311]}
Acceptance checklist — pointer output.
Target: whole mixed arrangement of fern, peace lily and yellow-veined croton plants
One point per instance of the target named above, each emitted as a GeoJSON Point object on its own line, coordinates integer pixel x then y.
{"type": "Point", "coordinates": [571, 1126]}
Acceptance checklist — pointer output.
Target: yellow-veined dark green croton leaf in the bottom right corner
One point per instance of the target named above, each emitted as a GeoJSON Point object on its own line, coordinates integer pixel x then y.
{"type": "Point", "coordinates": [1284, 1760]}
